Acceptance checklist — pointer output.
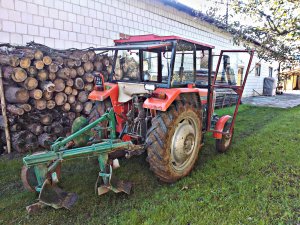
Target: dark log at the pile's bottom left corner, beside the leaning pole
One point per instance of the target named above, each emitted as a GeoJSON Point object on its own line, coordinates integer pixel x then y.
{"type": "Point", "coordinates": [24, 141]}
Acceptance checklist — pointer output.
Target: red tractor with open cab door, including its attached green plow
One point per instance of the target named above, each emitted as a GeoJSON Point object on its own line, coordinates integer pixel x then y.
{"type": "Point", "coordinates": [158, 97]}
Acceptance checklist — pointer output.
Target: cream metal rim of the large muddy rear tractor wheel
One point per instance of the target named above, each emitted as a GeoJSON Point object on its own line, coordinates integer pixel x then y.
{"type": "Point", "coordinates": [184, 144]}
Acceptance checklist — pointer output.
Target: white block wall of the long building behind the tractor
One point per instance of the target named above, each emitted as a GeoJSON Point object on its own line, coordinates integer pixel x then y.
{"type": "Point", "coordinates": [86, 23]}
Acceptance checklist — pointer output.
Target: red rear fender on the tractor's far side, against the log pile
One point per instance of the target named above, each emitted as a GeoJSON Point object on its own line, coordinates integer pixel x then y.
{"type": "Point", "coordinates": [110, 90]}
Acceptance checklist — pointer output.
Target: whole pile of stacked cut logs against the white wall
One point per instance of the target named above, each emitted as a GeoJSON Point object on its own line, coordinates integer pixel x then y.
{"type": "Point", "coordinates": [45, 90]}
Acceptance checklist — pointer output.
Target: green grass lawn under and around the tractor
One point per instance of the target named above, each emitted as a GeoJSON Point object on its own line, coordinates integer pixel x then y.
{"type": "Point", "coordinates": [256, 182]}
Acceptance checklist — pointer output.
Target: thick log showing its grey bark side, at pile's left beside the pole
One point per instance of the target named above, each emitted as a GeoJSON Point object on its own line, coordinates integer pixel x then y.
{"type": "Point", "coordinates": [16, 95]}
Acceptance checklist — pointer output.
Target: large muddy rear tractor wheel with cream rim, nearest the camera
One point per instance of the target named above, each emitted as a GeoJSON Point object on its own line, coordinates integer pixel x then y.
{"type": "Point", "coordinates": [174, 140]}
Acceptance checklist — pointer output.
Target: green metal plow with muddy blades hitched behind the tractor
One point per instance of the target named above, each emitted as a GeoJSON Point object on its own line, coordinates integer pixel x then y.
{"type": "Point", "coordinates": [41, 171]}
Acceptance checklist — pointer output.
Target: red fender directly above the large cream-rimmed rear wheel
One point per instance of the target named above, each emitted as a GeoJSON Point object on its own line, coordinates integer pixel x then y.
{"type": "Point", "coordinates": [170, 95]}
